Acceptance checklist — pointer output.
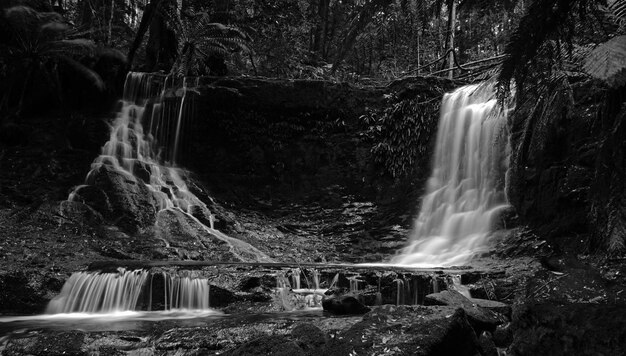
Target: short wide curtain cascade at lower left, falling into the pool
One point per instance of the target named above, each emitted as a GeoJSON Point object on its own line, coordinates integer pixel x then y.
{"type": "Point", "coordinates": [86, 292]}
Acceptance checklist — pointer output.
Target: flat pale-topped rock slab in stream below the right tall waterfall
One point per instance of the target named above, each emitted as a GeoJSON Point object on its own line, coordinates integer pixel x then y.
{"type": "Point", "coordinates": [481, 318]}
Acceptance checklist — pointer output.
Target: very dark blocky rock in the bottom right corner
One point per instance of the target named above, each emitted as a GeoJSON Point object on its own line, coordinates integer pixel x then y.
{"type": "Point", "coordinates": [573, 329]}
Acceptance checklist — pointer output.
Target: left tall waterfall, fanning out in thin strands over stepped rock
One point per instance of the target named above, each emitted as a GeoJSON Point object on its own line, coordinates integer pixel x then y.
{"type": "Point", "coordinates": [144, 144]}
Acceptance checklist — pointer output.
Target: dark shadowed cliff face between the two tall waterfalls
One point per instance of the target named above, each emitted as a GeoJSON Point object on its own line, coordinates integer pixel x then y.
{"type": "Point", "coordinates": [295, 140]}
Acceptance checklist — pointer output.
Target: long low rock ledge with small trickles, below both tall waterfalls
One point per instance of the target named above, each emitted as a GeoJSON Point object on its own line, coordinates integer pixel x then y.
{"type": "Point", "coordinates": [372, 284]}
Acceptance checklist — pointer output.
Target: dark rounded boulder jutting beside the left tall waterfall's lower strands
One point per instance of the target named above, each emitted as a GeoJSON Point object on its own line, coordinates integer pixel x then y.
{"type": "Point", "coordinates": [133, 206]}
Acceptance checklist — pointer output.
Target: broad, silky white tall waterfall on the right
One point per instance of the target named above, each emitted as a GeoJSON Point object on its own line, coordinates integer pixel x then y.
{"type": "Point", "coordinates": [465, 191]}
